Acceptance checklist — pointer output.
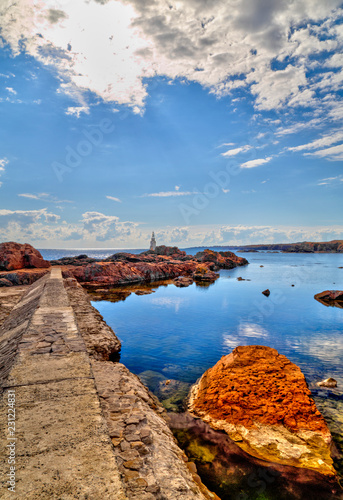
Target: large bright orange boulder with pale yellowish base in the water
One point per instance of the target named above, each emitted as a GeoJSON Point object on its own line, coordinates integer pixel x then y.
{"type": "Point", "coordinates": [262, 401]}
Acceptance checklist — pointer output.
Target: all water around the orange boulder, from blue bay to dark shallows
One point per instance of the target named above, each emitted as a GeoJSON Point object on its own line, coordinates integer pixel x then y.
{"type": "Point", "coordinates": [178, 333]}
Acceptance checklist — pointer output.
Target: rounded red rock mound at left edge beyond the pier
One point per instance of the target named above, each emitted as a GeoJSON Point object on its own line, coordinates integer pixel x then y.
{"type": "Point", "coordinates": [16, 256]}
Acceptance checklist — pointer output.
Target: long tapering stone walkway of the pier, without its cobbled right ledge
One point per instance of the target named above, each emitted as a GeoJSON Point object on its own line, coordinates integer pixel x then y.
{"type": "Point", "coordinates": [62, 446]}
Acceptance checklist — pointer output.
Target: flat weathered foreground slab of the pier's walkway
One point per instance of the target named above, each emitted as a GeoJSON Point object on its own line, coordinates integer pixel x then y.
{"type": "Point", "coordinates": [62, 445]}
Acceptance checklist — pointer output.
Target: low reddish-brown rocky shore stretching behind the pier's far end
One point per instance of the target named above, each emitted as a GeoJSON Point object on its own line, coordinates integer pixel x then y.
{"type": "Point", "coordinates": [120, 269]}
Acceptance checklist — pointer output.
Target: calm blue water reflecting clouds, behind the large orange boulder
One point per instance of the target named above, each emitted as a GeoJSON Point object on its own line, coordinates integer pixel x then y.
{"type": "Point", "coordinates": [180, 332]}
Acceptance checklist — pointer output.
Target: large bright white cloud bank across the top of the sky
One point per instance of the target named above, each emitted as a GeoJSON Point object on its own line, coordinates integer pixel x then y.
{"type": "Point", "coordinates": [109, 48]}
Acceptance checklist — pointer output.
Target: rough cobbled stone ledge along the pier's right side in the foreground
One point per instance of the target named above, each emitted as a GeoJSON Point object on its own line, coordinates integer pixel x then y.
{"type": "Point", "coordinates": [151, 464]}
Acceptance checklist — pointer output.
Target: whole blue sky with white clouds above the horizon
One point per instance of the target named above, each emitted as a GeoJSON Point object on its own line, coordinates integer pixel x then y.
{"type": "Point", "coordinates": [210, 122]}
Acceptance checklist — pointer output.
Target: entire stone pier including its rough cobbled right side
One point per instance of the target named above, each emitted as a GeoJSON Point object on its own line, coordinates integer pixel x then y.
{"type": "Point", "coordinates": [85, 427]}
